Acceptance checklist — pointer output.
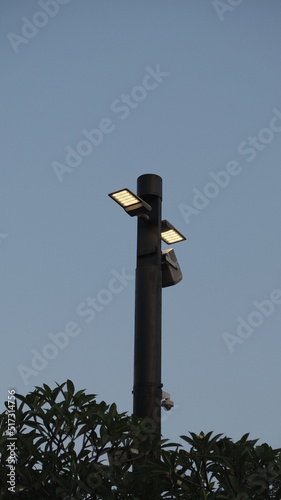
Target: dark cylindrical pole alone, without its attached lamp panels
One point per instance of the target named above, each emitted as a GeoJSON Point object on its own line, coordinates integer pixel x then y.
{"type": "Point", "coordinates": [147, 356]}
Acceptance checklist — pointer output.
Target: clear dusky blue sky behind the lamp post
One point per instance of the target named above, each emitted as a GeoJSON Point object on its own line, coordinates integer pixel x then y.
{"type": "Point", "coordinates": [186, 90]}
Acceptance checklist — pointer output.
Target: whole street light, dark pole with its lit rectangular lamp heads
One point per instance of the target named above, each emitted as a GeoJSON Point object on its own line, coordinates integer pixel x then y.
{"type": "Point", "coordinates": [155, 269]}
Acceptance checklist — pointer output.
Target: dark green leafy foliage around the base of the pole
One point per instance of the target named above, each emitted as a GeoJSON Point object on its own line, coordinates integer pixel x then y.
{"type": "Point", "coordinates": [69, 446]}
